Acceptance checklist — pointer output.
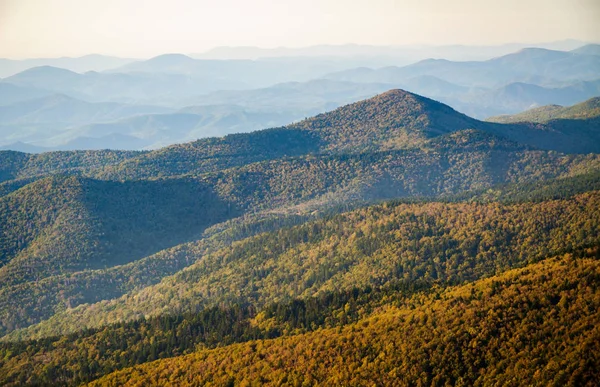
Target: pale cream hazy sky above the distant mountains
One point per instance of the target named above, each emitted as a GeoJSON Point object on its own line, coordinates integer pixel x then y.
{"type": "Point", "coordinates": [142, 28]}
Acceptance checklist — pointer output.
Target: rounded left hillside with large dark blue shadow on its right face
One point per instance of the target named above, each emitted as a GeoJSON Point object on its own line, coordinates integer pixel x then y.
{"type": "Point", "coordinates": [64, 224]}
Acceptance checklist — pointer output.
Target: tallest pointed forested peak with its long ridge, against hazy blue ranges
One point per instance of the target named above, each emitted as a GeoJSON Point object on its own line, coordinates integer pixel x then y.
{"type": "Point", "coordinates": [393, 120]}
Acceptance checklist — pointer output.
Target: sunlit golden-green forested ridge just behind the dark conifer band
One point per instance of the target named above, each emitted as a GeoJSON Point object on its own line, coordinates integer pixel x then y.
{"type": "Point", "coordinates": [446, 242]}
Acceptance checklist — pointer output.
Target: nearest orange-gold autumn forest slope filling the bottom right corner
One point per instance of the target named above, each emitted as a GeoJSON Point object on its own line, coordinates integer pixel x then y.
{"type": "Point", "coordinates": [533, 326]}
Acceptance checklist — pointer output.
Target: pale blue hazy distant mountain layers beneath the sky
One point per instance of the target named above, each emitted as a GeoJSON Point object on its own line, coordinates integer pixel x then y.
{"type": "Point", "coordinates": [147, 104]}
